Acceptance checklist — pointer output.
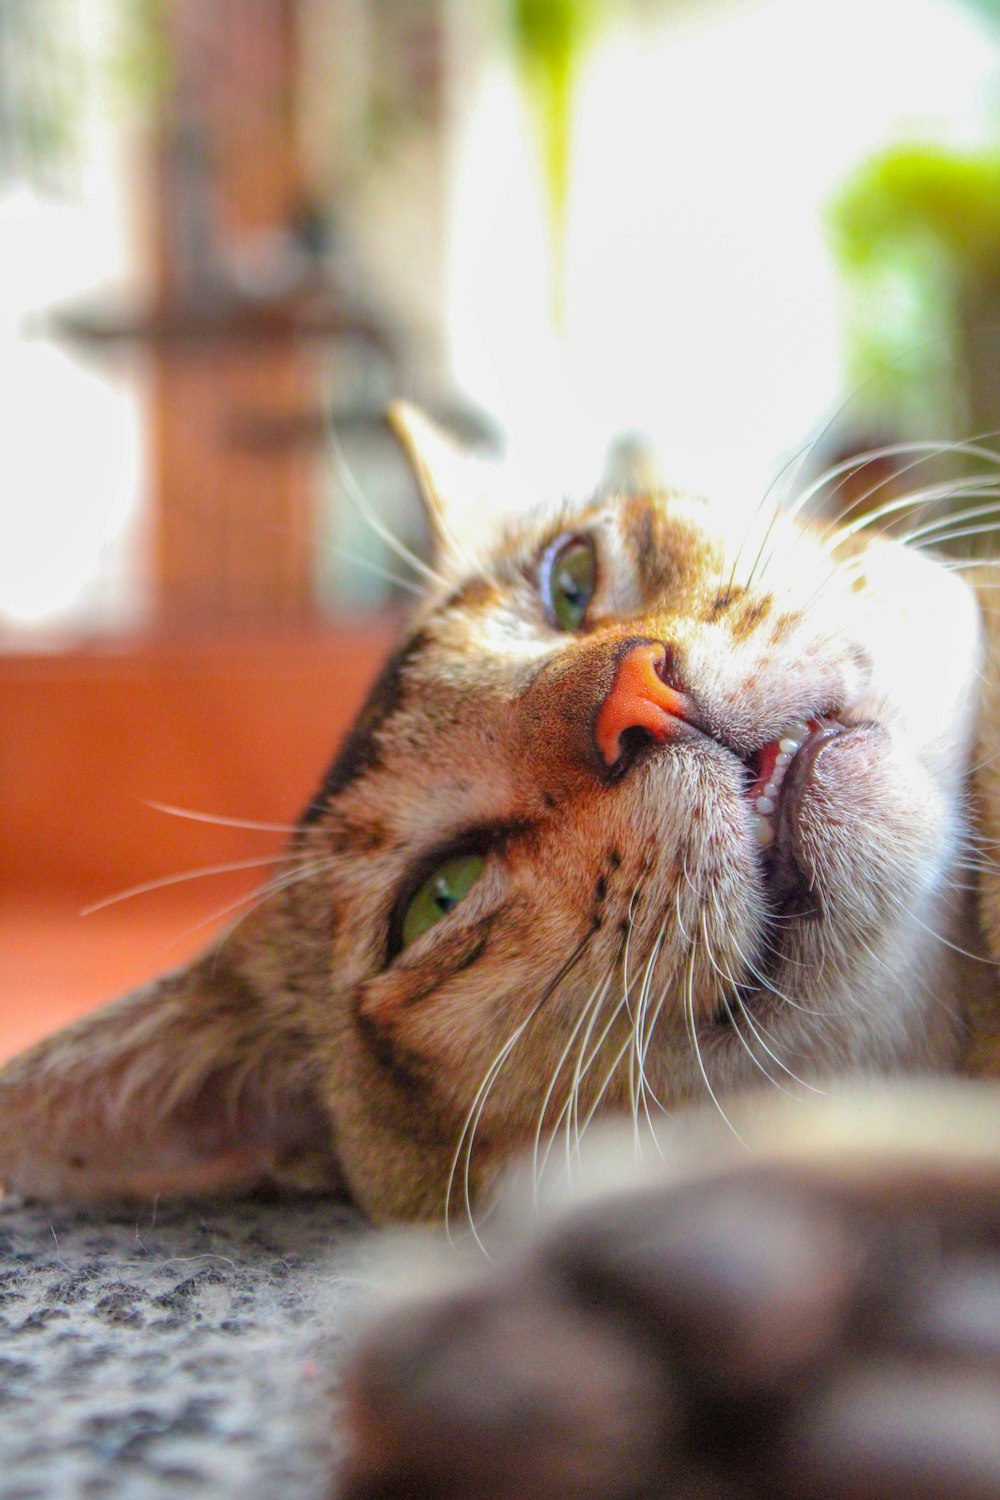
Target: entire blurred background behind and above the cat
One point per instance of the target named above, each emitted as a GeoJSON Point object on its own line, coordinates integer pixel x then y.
{"type": "Point", "coordinates": [233, 230]}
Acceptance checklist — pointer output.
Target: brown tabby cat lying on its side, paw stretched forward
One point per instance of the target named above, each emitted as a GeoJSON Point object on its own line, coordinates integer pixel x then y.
{"type": "Point", "coordinates": [650, 806]}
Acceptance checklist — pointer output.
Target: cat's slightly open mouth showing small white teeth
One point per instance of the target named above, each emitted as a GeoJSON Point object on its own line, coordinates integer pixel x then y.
{"type": "Point", "coordinates": [782, 773]}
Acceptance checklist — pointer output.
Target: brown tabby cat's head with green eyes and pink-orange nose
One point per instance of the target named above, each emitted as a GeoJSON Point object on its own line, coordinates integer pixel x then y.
{"type": "Point", "coordinates": [644, 808]}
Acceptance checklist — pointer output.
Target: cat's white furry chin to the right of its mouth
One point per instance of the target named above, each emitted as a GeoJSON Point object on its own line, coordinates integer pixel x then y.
{"type": "Point", "coordinates": [879, 841]}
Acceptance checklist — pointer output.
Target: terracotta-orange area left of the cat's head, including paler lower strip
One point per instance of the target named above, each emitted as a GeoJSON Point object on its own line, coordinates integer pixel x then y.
{"type": "Point", "coordinates": [233, 728]}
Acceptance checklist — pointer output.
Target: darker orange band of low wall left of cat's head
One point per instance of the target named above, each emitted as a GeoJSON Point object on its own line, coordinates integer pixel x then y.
{"type": "Point", "coordinates": [238, 728]}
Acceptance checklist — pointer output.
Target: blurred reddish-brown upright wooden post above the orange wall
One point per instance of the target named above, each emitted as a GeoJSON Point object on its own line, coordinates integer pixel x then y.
{"type": "Point", "coordinates": [233, 520]}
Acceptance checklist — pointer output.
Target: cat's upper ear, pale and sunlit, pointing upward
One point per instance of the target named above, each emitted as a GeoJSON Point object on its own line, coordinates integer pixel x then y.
{"type": "Point", "coordinates": [466, 494]}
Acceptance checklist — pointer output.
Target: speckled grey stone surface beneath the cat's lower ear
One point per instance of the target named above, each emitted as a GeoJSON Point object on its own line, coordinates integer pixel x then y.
{"type": "Point", "coordinates": [175, 1351]}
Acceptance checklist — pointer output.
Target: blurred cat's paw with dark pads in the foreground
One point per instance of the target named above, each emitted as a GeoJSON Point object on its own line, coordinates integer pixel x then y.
{"type": "Point", "coordinates": [776, 1331]}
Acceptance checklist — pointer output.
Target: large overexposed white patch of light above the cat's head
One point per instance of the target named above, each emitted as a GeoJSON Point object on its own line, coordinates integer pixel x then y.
{"type": "Point", "coordinates": [702, 305]}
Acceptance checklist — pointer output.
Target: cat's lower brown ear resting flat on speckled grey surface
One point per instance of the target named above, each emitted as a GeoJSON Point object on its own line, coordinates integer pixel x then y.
{"type": "Point", "coordinates": [193, 1085]}
